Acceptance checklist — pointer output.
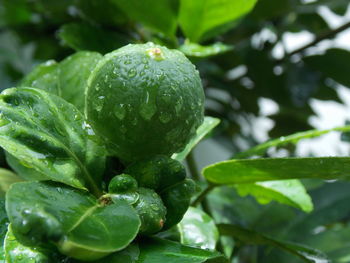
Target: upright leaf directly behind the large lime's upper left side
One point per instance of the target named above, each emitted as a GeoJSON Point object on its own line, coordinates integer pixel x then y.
{"type": "Point", "coordinates": [74, 72]}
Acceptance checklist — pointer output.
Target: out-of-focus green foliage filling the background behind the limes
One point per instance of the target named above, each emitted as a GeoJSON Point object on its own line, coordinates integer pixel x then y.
{"type": "Point", "coordinates": [241, 50]}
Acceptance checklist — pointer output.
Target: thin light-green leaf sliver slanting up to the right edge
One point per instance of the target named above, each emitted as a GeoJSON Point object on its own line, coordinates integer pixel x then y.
{"type": "Point", "coordinates": [294, 139]}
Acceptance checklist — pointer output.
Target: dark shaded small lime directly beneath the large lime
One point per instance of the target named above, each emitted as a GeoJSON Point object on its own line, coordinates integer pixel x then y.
{"type": "Point", "coordinates": [157, 172]}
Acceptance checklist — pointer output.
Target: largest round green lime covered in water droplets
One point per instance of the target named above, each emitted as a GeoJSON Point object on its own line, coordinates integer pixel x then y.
{"type": "Point", "coordinates": [144, 100]}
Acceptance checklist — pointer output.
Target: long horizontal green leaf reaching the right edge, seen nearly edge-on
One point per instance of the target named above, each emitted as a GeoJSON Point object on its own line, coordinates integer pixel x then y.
{"type": "Point", "coordinates": [271, 169]}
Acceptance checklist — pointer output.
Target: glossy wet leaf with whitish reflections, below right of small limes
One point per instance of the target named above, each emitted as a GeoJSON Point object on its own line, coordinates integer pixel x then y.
{"type": "Point", "coordinates": [198, 229]}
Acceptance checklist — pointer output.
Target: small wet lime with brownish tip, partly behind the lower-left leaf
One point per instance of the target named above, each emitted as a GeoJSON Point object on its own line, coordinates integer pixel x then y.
{"type": "Point", "coordinates": [151, 210]}
